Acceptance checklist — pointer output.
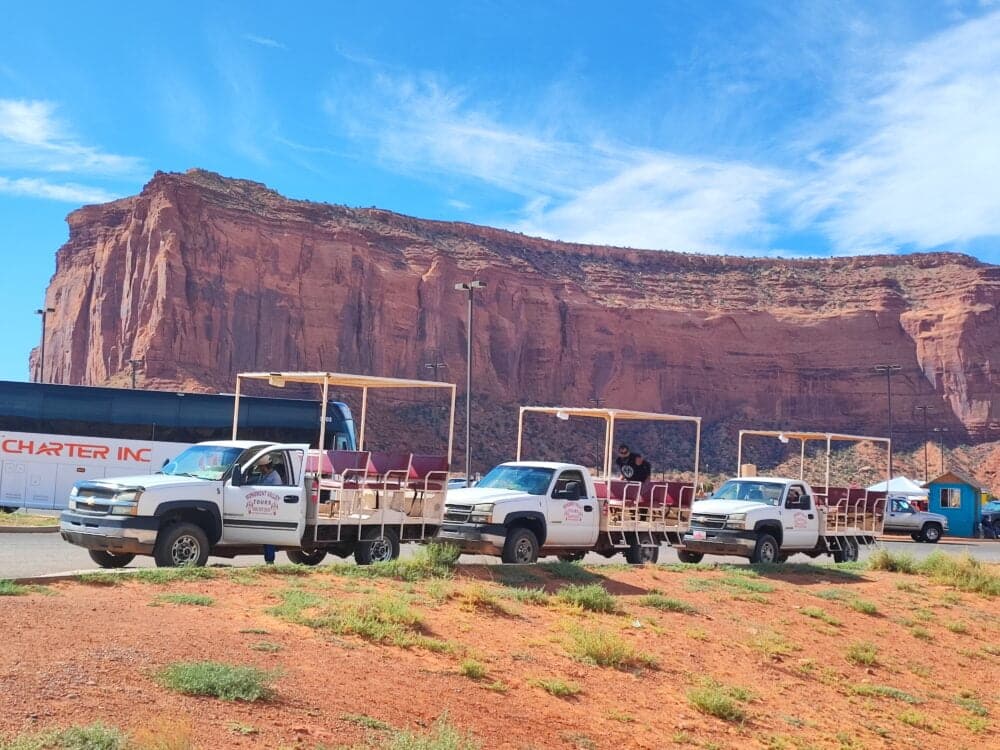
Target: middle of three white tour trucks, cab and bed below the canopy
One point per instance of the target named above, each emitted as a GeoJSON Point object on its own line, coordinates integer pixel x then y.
{"type": "Point", "coordinates": [523, 510]}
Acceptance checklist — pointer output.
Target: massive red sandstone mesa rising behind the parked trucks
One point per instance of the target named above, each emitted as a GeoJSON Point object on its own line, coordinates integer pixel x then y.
{"type": "Point", "coordinates": [202, 277]}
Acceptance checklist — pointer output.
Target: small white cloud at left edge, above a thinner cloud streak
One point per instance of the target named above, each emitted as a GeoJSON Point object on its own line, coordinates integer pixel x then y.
{"type": "Point", "coordinates": [33, 138]}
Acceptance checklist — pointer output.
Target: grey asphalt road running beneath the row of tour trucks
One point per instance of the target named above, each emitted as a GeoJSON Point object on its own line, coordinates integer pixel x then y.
{"type": "Point", "coordinates": [23, 555]}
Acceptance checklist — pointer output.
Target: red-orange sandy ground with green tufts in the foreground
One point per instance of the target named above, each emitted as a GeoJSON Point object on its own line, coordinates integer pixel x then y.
{"type": "Point", "coordinates": [89, 653]}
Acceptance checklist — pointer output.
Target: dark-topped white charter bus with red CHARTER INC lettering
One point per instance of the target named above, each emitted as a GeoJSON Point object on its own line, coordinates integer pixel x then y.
{"type": "Point", "coordinates": [52, 436]}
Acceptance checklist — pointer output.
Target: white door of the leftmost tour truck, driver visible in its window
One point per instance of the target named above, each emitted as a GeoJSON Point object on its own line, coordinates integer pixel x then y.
{"type": "Point", "coordinates": [267, 508]}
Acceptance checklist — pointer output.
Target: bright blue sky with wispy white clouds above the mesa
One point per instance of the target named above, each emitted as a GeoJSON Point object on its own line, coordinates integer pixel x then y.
{"type": "Point", "coordinates": [820, 128]}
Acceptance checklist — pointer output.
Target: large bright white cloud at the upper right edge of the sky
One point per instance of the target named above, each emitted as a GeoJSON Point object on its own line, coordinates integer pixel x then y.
{"type": "Point", "coordinates": [925, 172]}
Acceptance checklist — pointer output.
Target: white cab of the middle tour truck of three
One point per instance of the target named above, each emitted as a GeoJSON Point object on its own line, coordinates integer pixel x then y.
{"type": "Point", "coordinates": [523, 509]}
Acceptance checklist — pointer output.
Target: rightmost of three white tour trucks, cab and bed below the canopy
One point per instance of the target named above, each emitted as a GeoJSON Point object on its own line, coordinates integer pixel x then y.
{"type": "Point", "coordinates": [767, 519]}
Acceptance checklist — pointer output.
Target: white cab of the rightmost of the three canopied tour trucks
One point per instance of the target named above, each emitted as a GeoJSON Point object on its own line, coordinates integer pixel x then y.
{"type": "Point", "coordinates": [761, 518]}
